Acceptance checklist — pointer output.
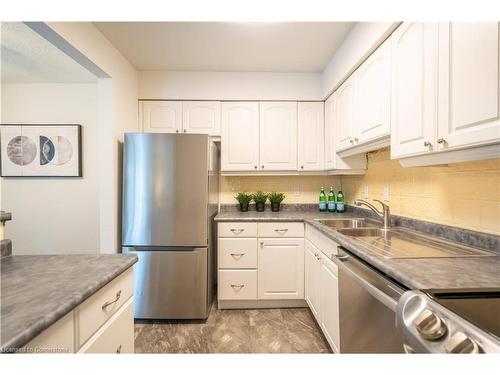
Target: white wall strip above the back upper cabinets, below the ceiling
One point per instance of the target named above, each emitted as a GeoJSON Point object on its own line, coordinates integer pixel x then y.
{"type": "Point", "coordinates": [229, 85]}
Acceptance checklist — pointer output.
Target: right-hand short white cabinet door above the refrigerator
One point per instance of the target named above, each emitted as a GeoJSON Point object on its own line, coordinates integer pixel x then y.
{"type": "Point", "coordinates": [201, 117]}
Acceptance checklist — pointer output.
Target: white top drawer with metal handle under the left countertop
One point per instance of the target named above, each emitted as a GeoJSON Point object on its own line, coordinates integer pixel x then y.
{"type": "Point", "coordinates": [98, 308]}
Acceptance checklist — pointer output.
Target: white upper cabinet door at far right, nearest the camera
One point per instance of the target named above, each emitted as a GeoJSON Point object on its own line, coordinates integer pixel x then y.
{"type": "Point", "coordinates": [469, 97]}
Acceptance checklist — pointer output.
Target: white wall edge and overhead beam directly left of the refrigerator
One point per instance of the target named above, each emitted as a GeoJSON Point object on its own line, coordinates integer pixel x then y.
{"type": "Point", "coordinates": [117, 115]}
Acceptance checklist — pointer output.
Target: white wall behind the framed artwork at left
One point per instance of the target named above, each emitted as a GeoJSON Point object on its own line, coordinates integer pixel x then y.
{"type": "Point", "coordinates": [54, 215]}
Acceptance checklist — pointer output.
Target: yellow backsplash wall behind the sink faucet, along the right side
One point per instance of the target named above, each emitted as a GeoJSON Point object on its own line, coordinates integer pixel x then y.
{"type": "Point", "coordinates": [466, 195]}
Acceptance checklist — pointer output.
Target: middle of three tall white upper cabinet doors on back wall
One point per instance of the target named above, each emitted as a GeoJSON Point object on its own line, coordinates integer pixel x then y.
{"type": "Point", "coordinates": [278, 136]}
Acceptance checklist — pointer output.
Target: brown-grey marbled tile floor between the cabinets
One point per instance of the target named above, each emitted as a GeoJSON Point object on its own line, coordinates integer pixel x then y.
{"type": "Point", "coordinates": [234, 331]}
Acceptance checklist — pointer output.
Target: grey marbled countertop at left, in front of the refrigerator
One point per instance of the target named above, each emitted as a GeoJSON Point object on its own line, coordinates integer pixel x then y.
{"type": "Point", "coordinates": [37, 290]}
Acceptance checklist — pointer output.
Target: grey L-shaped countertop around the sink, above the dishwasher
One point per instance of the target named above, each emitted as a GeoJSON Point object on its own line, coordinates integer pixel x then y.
{"type": "Point", "coordinates": [422, 273]}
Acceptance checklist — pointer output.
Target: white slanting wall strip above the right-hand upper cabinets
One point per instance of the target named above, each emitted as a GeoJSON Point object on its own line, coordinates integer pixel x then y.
{"type": "Point", "coordinates": [361, 41]}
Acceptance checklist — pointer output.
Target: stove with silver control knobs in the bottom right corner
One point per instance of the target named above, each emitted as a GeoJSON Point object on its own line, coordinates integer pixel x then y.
{"type": "Point", "coordinates": [450, 321]}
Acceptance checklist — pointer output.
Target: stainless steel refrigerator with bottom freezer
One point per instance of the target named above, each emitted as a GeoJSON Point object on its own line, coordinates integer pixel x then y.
{"type": "Point", "coordinates": [170, 198]}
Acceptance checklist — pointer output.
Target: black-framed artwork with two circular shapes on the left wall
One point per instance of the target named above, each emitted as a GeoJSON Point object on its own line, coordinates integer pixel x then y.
{"type": "Point", "coordinates": [41, 150]}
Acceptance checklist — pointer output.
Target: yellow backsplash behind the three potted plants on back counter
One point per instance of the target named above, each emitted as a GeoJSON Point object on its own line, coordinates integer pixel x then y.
{"type": "Point", "coordinates": [309, 186]}
